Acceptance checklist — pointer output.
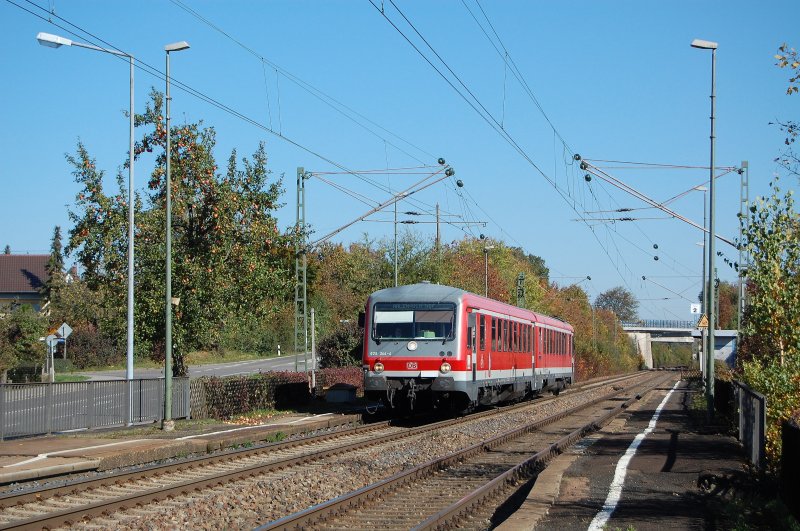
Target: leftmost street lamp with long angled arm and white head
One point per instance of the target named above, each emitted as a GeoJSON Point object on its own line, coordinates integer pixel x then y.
{"type": "Point", "coordinates": [54, 41]}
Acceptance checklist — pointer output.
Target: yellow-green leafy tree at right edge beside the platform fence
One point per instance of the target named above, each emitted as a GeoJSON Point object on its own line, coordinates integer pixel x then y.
{"type": "Point", "coordinates": [769, 354]}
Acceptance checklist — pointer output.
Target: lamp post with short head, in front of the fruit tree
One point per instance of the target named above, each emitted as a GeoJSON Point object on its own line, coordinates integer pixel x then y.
{"type": "Point", "coordinates": [169, 424]}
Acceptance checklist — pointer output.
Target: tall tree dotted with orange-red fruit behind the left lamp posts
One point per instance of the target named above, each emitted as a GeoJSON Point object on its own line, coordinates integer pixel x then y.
{"type": "Point", "coordinates": [231, 264]}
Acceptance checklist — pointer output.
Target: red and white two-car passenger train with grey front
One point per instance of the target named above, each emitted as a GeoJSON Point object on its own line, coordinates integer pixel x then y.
{"type": "Point", "coordinates": [427, 345]}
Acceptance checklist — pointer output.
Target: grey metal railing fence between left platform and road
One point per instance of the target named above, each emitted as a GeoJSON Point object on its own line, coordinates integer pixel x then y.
{"type": "Point", "coordinates": [39, 408]}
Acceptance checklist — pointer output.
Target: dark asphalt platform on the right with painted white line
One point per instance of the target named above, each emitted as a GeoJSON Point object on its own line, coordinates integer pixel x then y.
{"type": "Point", "coordinates": [657, 486]}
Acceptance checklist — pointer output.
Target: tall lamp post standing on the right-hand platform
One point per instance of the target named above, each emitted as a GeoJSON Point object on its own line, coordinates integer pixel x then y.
{"type": "Point", "coordinates": [710, 309]}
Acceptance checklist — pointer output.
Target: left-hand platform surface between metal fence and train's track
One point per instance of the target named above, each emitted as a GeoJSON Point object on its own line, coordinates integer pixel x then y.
{"type": "Point", "coordinates": [40, 457]}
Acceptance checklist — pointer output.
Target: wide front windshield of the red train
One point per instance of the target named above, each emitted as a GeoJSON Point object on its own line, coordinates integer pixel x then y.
{"type": "Point", "coordinates": [406, 321]}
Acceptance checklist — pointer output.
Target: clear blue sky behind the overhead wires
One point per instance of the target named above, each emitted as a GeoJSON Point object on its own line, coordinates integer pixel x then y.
{"type": "Point", "coordinates": [617, 81]}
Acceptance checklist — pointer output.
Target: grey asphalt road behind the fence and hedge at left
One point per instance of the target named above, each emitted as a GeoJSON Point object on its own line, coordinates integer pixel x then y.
{"type": "Point", "coordinates": [283, 363]}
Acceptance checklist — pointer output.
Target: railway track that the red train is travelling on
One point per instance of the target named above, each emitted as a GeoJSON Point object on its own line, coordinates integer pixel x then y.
{"type": "Point", "coordinates": [122, 499]}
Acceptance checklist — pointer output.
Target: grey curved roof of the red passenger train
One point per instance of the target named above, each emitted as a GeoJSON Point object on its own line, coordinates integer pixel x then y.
{"type": "Point", "coordinates": [428, 292]}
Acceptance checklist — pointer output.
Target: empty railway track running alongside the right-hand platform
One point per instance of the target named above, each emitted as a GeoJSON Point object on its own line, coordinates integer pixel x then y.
{"type": "Point", "coordinates": [463, 489]}
